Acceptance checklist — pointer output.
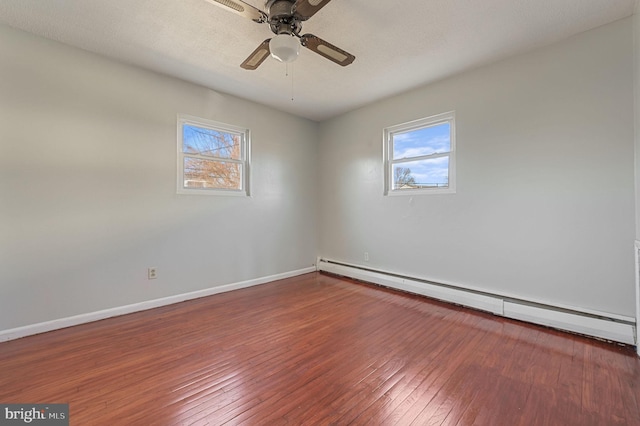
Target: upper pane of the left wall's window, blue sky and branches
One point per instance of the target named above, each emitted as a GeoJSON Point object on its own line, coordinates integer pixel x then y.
{"type": "Point", "coordinates": [211, 143]}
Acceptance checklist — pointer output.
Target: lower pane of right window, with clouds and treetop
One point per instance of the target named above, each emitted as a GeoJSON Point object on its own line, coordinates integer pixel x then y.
{"type": "Point", "coordinates": [429, 173]}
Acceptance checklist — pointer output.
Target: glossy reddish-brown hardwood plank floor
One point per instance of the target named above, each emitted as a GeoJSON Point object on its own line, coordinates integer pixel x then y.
{"type": "Point", "coordinates": [318, 349]}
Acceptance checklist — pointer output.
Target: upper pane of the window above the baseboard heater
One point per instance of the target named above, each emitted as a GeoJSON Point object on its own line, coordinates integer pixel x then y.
{"type": "Point", "coordinates": [425, 141]}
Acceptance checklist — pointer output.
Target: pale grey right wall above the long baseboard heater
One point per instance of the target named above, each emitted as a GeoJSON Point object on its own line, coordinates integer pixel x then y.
{"type": "Point", "coordinates": [544, 208]}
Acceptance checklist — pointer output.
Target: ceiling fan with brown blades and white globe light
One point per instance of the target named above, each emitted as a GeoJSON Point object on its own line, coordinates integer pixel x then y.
{"type": "Point", "coordinates": [285, 19]}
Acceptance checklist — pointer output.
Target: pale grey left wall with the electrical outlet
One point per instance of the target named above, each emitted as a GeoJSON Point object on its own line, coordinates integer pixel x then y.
{"type": "Point", "coordinates": [88, 194]}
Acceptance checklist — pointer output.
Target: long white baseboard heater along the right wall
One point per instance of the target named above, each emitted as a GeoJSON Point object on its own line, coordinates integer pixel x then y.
{"type": "Point", "coordinates": [606, 326]}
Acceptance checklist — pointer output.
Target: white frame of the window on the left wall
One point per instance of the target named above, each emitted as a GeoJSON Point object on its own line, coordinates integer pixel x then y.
{"type": "Point", "coordinates": [245, 156]}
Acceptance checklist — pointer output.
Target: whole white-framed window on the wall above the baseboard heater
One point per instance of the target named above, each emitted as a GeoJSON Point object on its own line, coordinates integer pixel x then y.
{"type": "Point", "coordinates": [420, 156]}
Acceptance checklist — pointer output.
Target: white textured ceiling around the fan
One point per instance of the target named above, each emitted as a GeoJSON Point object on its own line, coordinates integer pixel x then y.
{"type": "Point", "coordinates": [398, 44]}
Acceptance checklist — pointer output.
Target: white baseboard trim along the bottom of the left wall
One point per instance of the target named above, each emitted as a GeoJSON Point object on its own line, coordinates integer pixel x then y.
{"type": "Point", "coordinates": [28, 330]}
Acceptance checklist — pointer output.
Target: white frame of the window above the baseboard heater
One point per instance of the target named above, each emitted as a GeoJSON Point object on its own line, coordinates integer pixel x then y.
{"type": "Point", "coordinates": [389, 161]}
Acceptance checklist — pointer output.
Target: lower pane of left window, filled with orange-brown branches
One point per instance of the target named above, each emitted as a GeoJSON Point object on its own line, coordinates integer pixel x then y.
{"type": "Point", "coordinates": [199, 173]}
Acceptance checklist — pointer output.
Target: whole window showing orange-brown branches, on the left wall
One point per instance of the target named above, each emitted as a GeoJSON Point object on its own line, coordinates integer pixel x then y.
{"type": "Point", "coordinates": [213, 158]}
